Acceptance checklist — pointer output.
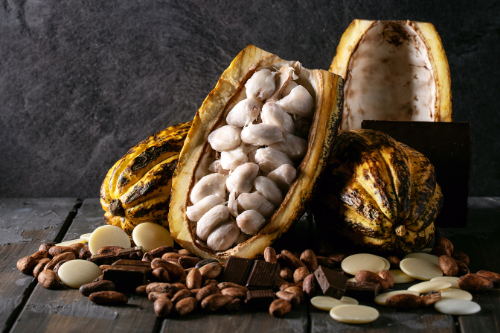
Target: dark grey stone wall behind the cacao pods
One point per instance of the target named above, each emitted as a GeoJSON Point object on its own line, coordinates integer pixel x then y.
{"type": "Point", "coordinates": [83, 81]}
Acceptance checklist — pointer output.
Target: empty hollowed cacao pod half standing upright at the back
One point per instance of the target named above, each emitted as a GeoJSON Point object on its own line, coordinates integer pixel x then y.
{"type": "Point", "coordinates": [393, 70]}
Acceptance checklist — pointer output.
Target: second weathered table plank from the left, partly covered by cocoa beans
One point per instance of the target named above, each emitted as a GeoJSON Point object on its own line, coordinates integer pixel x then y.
{"type": "Point", "coordinates": [68, 311]}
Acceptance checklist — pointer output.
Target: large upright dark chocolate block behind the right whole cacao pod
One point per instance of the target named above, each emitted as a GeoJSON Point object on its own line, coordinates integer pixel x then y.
{"type": "Point", "coordinates": [448, 146]}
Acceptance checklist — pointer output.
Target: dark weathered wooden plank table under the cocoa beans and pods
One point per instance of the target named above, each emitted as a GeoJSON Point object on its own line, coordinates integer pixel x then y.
{"type": "Point", "coordinates": [28, 307]}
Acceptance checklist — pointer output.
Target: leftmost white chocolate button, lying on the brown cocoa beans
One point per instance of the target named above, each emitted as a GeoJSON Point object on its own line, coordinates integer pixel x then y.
{"type": "Point", "coordinates": [78, 272]}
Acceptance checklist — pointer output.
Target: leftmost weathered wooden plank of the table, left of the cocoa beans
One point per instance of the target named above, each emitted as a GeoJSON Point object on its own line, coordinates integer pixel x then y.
{"type": "Point", "coordinates": [24, 225]}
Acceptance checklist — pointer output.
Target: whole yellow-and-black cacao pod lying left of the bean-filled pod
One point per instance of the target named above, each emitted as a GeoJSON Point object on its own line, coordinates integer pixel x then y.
{"type": "Point", "coordinates": [137, 188]}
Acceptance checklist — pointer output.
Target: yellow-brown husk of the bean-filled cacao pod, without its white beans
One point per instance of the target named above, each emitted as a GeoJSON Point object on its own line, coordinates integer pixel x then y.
{"type": "Point", "coordinates": [326, 89]}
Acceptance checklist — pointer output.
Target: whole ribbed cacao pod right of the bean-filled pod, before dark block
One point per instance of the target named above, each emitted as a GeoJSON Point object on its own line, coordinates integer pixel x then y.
{"type": "Point", "coordinates": [378, 193]}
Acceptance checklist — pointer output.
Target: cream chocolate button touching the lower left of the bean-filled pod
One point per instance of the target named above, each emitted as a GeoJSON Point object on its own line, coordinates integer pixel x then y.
{"type": "Point", "coordinates": [151, 235]}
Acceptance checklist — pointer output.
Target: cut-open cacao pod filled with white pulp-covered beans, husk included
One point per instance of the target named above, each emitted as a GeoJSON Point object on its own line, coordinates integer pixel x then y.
{"type": "Point", "coordinates": [254, 80]}
